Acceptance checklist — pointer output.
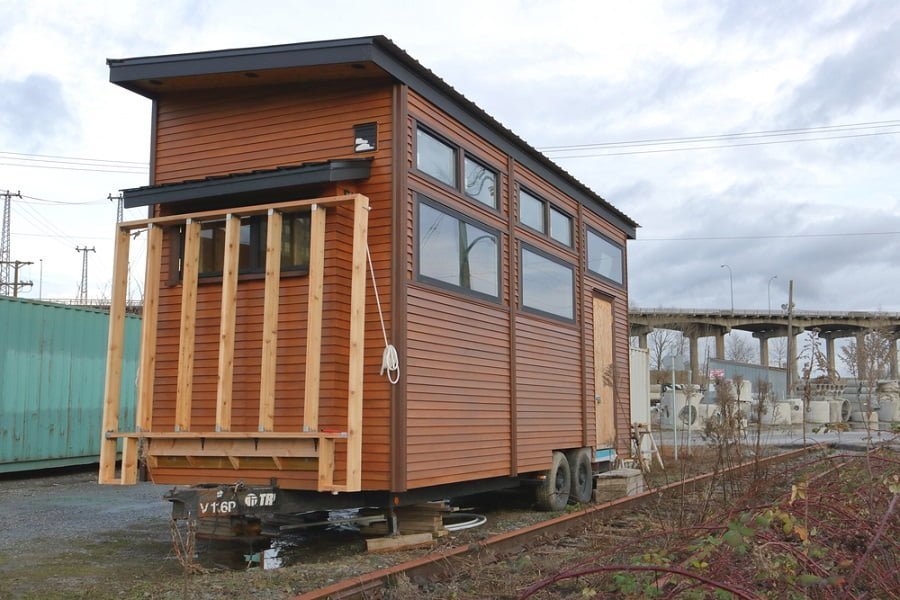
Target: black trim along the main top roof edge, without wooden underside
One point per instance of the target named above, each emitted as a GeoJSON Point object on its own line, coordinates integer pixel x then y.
{"type": "Point", "coordinates": [381, 51]}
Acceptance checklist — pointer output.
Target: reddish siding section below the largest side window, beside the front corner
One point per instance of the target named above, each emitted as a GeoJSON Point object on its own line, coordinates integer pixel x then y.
{"type": "Point", "coordinates": [457, 389]}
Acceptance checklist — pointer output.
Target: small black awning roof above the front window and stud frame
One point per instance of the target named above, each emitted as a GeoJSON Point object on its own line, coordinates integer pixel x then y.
{"type": "Point", "coordinates": [270, 185]}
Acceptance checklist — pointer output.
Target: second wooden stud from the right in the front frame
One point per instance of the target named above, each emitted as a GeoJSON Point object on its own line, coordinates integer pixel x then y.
{"type": "Point", "coordinates": [314, 319]}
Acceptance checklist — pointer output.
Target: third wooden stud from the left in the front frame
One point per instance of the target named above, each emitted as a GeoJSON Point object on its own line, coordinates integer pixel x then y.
{"type": "Point", "coordinates": [189, 272]}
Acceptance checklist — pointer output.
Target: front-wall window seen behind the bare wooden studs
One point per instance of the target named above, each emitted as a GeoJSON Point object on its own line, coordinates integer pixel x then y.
{"type": "Point", "coordinates": [252, 253]}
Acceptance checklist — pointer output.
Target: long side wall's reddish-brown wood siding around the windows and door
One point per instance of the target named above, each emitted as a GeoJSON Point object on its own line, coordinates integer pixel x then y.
{"type": "Point", "coordinates": [479, 404]}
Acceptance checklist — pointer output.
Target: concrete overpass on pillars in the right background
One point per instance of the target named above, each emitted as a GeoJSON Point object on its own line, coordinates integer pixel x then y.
{"type": "Point", "coordinates": [764, 325]}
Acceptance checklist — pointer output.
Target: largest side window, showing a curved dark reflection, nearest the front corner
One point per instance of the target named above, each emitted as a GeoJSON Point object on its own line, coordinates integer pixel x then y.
{"type": "Point", "coordinates": [456, 252]}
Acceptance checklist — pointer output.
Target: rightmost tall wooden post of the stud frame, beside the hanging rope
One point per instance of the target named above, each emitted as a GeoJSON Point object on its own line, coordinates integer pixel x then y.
{"type": "Point", "coordinates": [357, 343]}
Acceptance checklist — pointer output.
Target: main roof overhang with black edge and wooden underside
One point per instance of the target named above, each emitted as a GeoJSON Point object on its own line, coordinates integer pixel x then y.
{"type": "Point", "coordinates": [353, 58]}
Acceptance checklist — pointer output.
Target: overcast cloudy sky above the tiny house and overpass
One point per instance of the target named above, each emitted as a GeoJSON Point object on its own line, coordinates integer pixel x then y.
{"type": "Point", "coordinates": [824, 212]}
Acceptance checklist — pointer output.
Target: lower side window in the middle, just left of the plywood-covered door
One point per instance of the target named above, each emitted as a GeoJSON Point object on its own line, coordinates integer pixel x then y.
{"type": "Point", "coordinates": [548, 285]}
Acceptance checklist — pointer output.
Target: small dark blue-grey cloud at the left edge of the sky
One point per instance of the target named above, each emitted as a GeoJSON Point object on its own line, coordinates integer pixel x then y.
{"type": "Point", "coordinates": [33, 112]}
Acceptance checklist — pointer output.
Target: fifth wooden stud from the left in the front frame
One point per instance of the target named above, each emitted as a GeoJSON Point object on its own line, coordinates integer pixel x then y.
{"type": "Point", "coordinates": [270, 322]}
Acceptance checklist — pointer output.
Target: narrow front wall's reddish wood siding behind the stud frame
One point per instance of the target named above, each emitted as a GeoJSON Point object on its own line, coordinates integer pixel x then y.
{"type": "Point", "coordinates": [218, 132]}
